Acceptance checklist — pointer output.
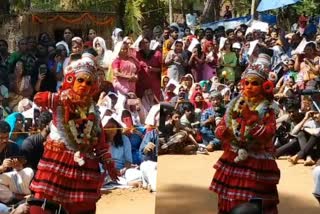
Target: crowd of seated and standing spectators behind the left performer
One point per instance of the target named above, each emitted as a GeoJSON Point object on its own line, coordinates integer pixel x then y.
{"type": "Point", "coordinates": [128, 105]}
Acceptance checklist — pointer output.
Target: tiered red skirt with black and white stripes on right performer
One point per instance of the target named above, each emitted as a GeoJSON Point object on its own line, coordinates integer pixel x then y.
{"type": "Point", "coordinates": [255, 177]}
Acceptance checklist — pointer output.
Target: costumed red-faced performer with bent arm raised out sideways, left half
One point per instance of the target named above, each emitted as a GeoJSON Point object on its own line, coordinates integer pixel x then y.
{"type": "Point", "coordinates": [69, 171]}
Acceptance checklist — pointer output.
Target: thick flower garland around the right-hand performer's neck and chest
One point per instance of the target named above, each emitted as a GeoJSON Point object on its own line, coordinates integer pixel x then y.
{"type": "Point", "coordinates": [241, 124]}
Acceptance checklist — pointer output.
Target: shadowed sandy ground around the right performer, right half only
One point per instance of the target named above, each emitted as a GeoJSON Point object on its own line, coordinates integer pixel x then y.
{"type": "Point", "coordinates": [183, 183]}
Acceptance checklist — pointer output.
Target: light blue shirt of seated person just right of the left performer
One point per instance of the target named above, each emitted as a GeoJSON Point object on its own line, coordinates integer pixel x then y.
{"type": "Point", "coordinates": [122, 154]}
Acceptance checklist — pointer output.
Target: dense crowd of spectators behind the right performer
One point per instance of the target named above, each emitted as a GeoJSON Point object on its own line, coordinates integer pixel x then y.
{"type": "Point", "coordinates": [203, 72]}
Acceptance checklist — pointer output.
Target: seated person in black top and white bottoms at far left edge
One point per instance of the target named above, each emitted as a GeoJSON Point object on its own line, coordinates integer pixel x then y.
{"type": "Point", "coordinates": [14, 178]}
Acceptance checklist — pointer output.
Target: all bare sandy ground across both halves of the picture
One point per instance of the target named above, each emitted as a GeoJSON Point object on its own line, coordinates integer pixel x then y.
{"type": "Point", "coordinates": [183, 183]}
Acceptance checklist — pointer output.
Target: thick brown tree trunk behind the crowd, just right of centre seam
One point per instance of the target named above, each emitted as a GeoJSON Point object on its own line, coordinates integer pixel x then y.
{"type": "Point", "coordinates": [211, 11]}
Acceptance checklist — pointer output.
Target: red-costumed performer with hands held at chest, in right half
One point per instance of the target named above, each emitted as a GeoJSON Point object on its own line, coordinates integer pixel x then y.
{"type": "Point", "coordinates": [247, 168]}
